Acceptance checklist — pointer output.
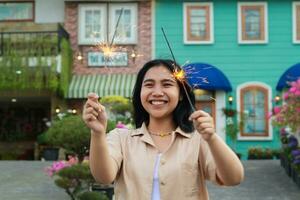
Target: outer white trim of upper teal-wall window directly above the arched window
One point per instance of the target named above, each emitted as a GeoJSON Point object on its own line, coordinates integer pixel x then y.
{"type": "Point", "coordinates": [265, 5]}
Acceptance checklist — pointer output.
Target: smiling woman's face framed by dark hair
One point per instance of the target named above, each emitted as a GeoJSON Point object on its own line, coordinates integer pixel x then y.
{"type": "Point", "coordinates": [160, 92]}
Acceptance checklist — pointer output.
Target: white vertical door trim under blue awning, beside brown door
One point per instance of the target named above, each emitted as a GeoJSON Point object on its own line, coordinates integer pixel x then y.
{"type": "Point", "coordinates": [220, 118]}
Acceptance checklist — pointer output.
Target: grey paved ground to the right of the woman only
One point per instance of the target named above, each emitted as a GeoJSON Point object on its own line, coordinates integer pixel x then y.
{"type": "Point", "coordinates": [264, 180]}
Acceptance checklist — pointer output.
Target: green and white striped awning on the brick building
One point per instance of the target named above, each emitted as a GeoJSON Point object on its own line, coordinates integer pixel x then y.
{"type": "Point", "coordinates": [103, 85]}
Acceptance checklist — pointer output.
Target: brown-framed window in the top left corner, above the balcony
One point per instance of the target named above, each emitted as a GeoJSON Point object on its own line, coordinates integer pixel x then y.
{"type": "Point", "coordinates": [17, 11]}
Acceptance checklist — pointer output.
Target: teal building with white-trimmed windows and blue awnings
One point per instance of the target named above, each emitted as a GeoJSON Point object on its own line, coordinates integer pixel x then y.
{"type": "Point", "coordinates": [252, 43]}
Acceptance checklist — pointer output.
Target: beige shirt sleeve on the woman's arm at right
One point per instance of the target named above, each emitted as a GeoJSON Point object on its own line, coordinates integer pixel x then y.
{"type": "Point", "coordinates": [208, 164]}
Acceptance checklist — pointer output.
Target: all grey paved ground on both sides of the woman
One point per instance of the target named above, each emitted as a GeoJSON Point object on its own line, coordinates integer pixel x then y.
{"type": "Point", "coordinates": [265, 180]}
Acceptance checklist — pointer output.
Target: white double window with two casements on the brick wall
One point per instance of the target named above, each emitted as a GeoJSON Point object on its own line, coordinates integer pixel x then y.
{"type": "Point", "coordinates": [97, 23]}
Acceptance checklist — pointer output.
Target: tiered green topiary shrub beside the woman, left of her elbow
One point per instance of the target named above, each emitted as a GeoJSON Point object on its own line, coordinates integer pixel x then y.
{"type": "Point", "coordinates": [70, 133]}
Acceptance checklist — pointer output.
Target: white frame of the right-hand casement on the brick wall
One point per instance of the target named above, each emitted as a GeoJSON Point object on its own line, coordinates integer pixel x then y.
{"type": "Point", "coordinates": [113, 21]}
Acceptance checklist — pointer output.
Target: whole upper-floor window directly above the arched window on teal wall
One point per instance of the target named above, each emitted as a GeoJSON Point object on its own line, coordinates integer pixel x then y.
{"type": "Point", "coordinates": [252, 23]}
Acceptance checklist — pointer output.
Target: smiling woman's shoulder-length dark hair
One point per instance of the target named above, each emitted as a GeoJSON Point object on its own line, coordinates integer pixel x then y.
{"type": "Point", "coordinates": [182, 111]}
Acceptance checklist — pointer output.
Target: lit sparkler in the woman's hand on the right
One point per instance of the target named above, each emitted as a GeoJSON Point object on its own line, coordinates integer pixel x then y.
{"type": "Point", "coordinates": [179, 74]}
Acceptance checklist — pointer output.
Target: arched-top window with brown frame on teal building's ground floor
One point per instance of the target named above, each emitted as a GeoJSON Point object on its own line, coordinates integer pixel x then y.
{"type": "Point", "coordinates": [253, 106]}
